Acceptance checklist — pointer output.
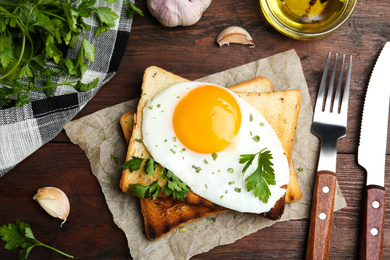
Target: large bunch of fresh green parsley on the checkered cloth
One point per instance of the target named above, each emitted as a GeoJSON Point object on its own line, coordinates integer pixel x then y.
{"type": "Point", "coordinates": [34, 32]}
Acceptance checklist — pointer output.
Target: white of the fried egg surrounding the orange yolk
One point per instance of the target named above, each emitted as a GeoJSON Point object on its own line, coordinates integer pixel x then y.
{"type": "Point", "coordinates": [221, 180]}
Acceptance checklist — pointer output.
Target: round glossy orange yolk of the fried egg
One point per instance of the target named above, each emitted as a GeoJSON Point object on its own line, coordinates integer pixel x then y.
{"type": "Point", "coordinates": [207, 119]}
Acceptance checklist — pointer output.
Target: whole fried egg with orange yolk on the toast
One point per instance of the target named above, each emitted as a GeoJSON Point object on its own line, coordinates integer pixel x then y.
{"type": "Point", "coordinates": [199, 130]}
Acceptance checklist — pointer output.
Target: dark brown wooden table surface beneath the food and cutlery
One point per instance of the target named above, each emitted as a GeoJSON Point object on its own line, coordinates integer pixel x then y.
{"type": "Point", "coordinates": [192, 52]}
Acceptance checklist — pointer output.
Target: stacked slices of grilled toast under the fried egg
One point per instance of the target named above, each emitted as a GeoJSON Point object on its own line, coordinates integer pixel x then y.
{"type": "Point", "coordinates": [280, 108]}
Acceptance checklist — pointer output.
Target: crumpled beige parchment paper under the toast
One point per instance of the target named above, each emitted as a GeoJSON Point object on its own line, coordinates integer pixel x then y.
{"type": "Point", "coordinates": [100, 136]}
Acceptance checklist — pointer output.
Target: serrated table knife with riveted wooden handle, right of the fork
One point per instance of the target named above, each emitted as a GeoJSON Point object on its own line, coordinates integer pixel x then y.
{"type": "Point", "coordinates": [372, 155]}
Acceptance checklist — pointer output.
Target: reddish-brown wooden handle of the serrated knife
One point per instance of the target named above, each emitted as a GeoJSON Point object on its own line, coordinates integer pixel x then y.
{"type": "Point", "coordinates": [371, 245]}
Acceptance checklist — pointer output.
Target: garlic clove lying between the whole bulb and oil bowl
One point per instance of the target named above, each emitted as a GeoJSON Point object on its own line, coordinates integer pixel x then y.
{"type": "Point", "coordinates": [234, 34]}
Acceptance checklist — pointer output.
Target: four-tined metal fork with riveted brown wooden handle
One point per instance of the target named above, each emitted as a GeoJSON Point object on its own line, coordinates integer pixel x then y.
{"type": "Point", "coordinates": [329, 124]}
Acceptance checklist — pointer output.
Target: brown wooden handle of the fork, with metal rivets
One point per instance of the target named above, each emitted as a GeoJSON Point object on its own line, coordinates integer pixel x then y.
{"type": "Point", "coordinates": [321, 216]}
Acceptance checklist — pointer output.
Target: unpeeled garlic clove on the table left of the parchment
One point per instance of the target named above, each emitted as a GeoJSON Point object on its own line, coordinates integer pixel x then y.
{"type": "Point", "coordinates": [54, 201]}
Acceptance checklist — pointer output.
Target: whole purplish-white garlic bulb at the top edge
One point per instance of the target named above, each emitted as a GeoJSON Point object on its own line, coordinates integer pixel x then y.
{"type": "Point", "coordinates": [171, 13]}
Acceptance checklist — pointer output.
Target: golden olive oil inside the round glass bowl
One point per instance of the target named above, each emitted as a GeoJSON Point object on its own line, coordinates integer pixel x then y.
{"type": "Point", "coordinates": [307, 15]}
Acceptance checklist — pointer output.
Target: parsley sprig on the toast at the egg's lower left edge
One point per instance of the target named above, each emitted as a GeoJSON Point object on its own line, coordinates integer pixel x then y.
{"type": "Point", "coordinates": [174, 185]}
